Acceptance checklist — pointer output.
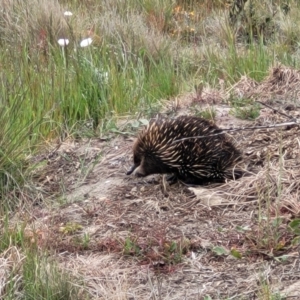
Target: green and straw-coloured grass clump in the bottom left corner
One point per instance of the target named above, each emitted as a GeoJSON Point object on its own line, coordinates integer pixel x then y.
{"type": "Point", "coordinates": [33, 275]}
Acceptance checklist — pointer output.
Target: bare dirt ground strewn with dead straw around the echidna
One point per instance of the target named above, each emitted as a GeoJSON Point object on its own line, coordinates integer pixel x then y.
{"type": "Point", "coordinates": [132, 238]}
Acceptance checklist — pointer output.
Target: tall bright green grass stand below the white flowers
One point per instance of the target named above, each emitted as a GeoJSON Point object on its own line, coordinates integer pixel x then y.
{"type": "Point", "coordinates": [46, 96]}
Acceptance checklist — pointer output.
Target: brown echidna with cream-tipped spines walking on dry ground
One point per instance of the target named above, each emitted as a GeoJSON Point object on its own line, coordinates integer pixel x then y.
{"type": "Point", "coordinates": [193, 161]}
